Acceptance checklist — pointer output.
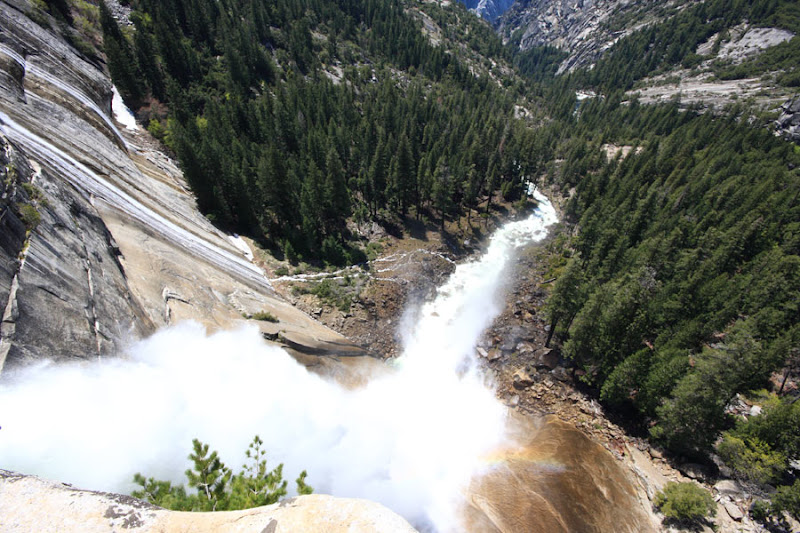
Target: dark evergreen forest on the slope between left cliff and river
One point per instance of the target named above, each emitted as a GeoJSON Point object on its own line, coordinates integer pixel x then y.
{"type": "Point", "coordinates": [290, 117]}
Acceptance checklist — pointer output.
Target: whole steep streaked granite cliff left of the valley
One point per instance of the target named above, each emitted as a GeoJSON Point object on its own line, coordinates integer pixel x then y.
{"type": "Point", "coordinates": [100, 239]}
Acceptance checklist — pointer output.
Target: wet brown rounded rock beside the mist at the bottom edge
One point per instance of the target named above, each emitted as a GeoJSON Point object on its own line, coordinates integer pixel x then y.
{"type": "Point", "coordinates": [553, 478]}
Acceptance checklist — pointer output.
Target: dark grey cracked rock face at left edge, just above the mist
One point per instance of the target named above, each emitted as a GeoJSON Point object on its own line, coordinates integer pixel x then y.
{"type": "Point", "coordinates": [64, 290]}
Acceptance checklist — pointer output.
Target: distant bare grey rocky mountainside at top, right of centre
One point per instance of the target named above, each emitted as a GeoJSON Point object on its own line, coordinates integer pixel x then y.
{"type": "Point", "coordinates": [583, 28]}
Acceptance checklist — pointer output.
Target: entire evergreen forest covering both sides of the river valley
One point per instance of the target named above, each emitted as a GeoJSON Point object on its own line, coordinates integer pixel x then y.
{"type": "Point", "coordinates": [681, 285]}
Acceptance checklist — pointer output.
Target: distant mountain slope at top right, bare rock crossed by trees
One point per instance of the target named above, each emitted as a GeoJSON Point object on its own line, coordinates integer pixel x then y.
{"type": "Point", "coordinates": [710, 53]}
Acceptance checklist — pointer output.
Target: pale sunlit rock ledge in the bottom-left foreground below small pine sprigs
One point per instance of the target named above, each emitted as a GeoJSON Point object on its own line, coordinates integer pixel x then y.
{"type": "Point", "coordinates": [33, 504]}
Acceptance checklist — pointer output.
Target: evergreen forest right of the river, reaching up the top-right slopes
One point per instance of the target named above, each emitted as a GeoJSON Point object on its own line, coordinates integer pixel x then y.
{"type": "Point", "coordinates": [681, 289]}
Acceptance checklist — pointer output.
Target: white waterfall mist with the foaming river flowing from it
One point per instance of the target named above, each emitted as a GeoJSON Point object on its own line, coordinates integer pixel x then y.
{"type": "Point", "coordinates": [410, 440]}
